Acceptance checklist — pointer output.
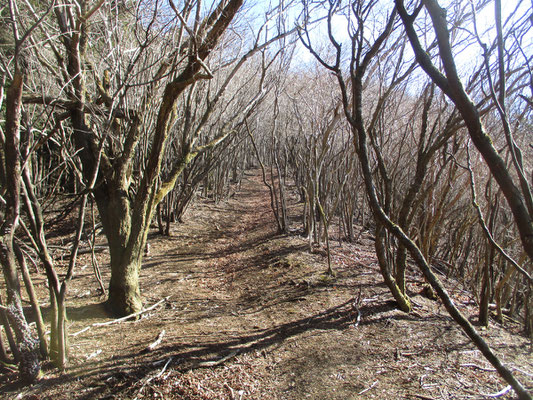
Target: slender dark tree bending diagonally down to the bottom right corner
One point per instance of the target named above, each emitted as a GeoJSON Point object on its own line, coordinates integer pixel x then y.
{"type": "Point", "coordinates": [363, 52]}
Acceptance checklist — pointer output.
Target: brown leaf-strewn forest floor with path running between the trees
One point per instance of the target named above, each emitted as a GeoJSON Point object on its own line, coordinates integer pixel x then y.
{"type": "Point", "coordinates": [250, 314]}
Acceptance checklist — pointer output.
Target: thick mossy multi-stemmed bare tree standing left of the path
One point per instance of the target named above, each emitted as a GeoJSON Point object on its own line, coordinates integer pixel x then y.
{"type": "Point", "coordinates": [126, 218]}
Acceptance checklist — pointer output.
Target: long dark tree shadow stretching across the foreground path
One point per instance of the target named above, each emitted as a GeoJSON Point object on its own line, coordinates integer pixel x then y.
{"type": "Point", "coordinates": [130, 369]}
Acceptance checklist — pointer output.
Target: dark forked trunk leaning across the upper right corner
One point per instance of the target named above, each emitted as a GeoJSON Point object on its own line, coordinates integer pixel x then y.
{"type": "Point", "coordinates": [516, 191]}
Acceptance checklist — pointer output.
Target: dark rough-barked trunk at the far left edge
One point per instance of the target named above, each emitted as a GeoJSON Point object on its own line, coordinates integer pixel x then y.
{"type": "Point", "coordinates": [10, 179]}
